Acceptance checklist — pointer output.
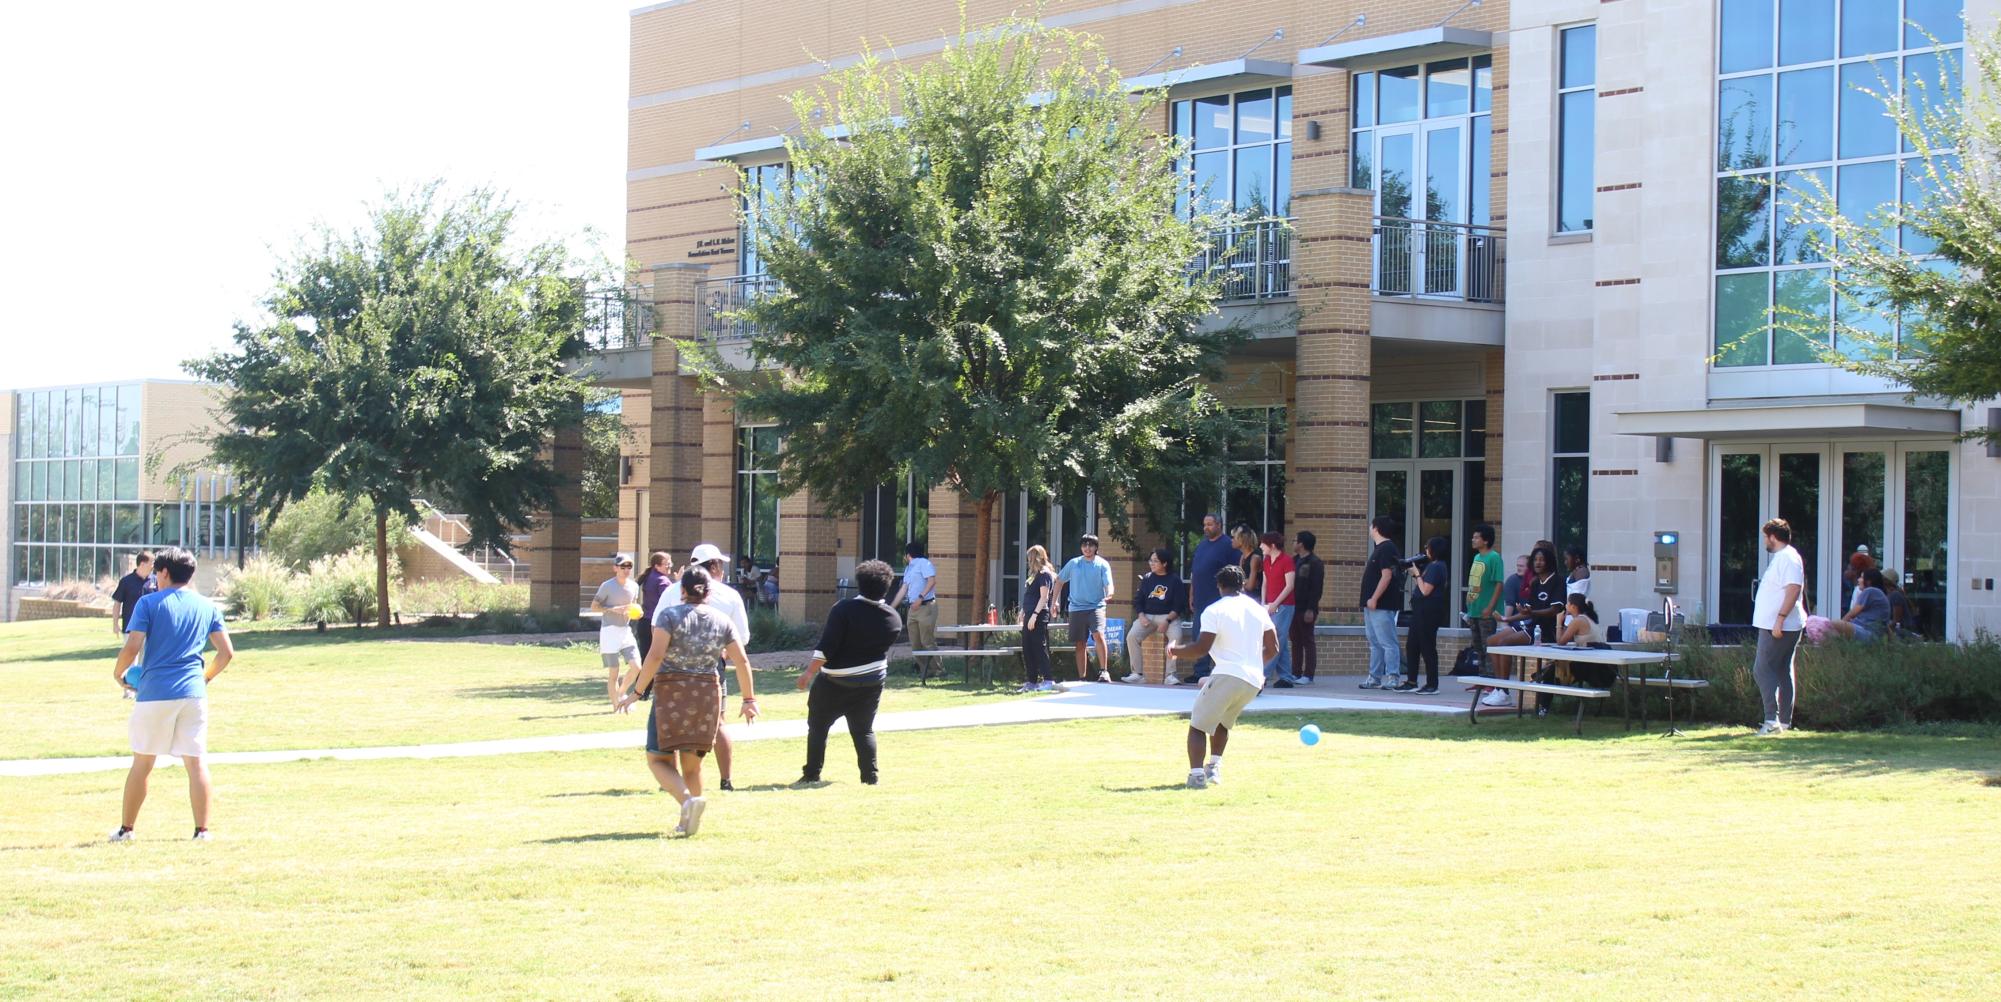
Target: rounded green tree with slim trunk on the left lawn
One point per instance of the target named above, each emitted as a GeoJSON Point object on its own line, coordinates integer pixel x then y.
{"type": "Point", "coordinates": [419, 357]}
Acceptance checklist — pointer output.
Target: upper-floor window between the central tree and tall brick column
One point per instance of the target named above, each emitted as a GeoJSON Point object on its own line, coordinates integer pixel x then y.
{"type": "Point", "coordinates": [1242, 153]}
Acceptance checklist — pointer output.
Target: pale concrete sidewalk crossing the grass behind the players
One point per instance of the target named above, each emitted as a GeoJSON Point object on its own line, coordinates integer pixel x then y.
{"type": "Point", "coordinates": [1086, 701]}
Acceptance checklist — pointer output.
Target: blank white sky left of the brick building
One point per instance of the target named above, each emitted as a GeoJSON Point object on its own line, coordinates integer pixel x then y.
{"type": "Point", "coordinates": [163, 157]}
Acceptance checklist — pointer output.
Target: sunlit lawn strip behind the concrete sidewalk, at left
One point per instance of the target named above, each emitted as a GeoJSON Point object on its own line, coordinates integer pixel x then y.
{"type": "Point", "coordinates": [347, 689]}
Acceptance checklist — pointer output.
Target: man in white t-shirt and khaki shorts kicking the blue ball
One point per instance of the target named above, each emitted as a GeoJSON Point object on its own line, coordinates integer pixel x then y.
{"type": "Point", "coordinates": [1240, 637]}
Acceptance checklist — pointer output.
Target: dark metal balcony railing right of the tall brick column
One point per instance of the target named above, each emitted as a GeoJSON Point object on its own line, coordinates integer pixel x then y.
{"type": "Point", "coordinates": [1440, 261]}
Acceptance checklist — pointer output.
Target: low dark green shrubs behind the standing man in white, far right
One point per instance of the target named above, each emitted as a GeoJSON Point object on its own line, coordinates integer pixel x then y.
{"type": "Point", "coordinates": [1850, 687]}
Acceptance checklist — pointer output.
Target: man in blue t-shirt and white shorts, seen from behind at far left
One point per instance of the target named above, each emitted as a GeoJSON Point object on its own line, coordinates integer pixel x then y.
{"type": "Point", "coordinates": [171, 717]}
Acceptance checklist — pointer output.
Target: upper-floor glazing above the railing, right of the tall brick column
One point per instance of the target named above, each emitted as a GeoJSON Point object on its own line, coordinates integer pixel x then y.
{"type": "Point", "coordinates": [1432, 123]}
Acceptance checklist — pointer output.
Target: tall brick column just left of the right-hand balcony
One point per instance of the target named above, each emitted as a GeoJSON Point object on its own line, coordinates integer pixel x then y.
{"type": "Point", "coordinates": [1328, 479]}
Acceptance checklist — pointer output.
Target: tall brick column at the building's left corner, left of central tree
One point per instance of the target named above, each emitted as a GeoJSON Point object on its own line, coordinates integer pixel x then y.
{"type": "Point", "coordinates": [677, 413]}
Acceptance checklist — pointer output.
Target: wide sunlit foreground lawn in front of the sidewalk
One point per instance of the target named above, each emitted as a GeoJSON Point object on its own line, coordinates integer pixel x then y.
{"type": "Point", "coordinates": [1398, 859]}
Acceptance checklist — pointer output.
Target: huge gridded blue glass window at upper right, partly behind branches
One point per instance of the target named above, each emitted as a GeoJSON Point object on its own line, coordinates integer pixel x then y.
{"type": "Point", "coordinates": [1800, 111]}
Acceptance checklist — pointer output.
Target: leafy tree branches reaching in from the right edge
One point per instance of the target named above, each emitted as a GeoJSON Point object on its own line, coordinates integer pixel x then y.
{"type": "Point", "coordinates": [1940, 285]}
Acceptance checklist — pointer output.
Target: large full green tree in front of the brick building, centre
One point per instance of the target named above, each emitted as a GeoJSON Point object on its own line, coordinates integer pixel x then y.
{"type": "Point", "coordinates": [985, 283]}
